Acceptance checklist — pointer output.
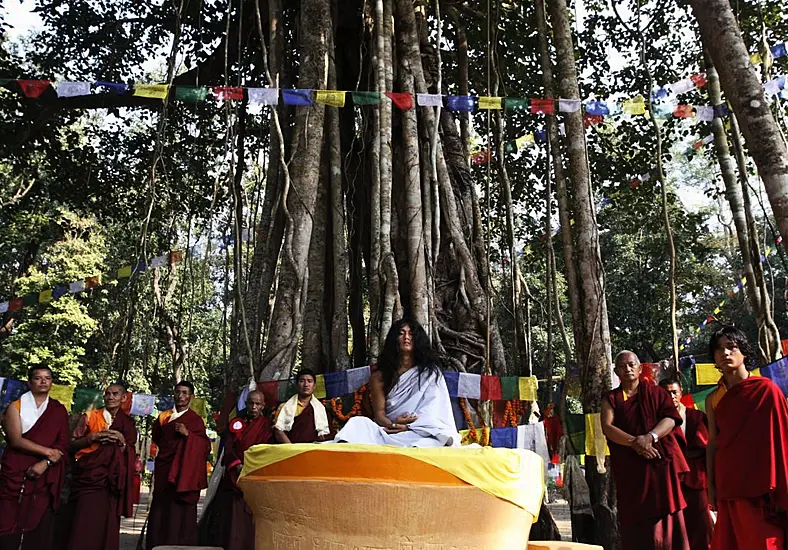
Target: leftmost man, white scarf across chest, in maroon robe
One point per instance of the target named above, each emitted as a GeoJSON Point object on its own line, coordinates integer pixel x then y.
{"type": "Point", "coordinates": [32, 469]}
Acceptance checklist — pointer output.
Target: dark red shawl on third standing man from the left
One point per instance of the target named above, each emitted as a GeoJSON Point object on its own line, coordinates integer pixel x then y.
{"type": "Point", "coordinates": [181, 460]}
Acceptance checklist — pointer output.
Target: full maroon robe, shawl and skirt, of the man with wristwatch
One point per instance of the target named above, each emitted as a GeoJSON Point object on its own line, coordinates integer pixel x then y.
{"type": "Point", "coordinates": [650, 501]}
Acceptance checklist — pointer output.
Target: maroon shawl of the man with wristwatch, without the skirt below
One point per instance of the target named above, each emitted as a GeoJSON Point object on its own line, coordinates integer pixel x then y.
{"type": "Point", "coordinates": [646, 489]}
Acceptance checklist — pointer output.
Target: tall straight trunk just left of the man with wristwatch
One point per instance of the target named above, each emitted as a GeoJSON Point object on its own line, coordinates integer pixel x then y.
{"type": "Point", "coordinates": [596, 364]}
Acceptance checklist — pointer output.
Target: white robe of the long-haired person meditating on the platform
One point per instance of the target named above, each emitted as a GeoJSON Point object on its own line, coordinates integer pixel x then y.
{"type": "Point", "coordinates": [427, 398]}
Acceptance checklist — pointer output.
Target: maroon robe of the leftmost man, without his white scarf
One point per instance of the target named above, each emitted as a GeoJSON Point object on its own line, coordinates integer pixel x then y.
{"type": "Point", "coordinates": [29, 509]}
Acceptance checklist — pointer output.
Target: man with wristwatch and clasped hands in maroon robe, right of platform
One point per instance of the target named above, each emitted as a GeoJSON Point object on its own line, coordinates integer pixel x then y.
{"type": "Point", "coordinates": [638, 420]}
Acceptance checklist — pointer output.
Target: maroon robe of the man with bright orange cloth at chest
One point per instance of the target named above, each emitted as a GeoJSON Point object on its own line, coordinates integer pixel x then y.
{"type": "Point", "coordinates": [102, 489]}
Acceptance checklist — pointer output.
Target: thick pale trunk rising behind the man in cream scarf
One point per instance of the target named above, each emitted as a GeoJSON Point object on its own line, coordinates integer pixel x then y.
{"type": "Point", "coordinates": [298, 199]}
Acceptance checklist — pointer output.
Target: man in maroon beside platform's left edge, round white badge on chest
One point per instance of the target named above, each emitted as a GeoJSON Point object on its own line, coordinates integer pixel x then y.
{"type": "Point", "coordinates": [228, 522]}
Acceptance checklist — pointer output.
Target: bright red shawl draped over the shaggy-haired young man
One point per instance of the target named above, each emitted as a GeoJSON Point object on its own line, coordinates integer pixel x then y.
{"type": "Point", "coordinates": [752, 442]}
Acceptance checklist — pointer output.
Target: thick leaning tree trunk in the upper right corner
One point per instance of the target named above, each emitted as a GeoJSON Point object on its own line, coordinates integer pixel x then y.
{"type": "Point", "coordinates": [739, 80]}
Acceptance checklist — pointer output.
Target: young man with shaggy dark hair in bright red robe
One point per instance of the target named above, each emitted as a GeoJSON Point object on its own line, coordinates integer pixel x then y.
{"type": "Point", "coordinates": [747, 458]}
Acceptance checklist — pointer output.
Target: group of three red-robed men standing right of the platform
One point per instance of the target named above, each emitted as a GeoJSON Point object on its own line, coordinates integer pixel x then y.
{"type": "Point", "coordinates": [673, 466]}
